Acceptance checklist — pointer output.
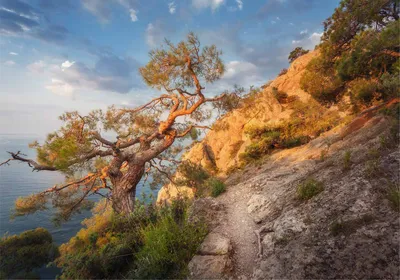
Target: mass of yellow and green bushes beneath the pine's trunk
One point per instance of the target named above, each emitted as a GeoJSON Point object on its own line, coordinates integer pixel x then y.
{"type": "Point", "coordinates": [149, 243]}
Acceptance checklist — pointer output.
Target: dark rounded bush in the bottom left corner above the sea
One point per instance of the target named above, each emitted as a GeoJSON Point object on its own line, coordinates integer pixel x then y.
{"type": "Point", "coordinates": [21, 254]}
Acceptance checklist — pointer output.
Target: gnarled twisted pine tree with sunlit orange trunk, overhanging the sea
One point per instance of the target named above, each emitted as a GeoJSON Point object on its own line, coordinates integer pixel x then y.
{"type": "Point", "coordinates": [144, 134]}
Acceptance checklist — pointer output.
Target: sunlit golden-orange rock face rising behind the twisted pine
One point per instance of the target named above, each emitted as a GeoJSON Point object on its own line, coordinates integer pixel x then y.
{"type": "Point", "coordinates": [227, 140]}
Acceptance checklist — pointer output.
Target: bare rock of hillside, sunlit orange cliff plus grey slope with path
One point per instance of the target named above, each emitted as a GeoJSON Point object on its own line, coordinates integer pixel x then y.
{"type": "Point", "coordinates": [326, 209]}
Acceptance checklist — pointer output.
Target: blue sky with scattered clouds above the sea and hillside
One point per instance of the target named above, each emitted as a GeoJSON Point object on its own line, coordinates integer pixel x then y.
{"type": "Point", "coordinates": [66, 55]}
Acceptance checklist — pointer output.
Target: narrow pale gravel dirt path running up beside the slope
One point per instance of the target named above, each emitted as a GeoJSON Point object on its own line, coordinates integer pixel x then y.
{"type": "Point", "coordinates": [239, 227]}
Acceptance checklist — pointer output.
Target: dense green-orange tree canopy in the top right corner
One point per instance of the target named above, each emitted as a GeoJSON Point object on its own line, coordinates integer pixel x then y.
{"type": "Point", "coordinates": [361, 41]}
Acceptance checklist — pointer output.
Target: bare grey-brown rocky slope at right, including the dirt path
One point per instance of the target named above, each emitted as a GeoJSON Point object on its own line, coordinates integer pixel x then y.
{"type": "Point", "coordinates": [349, 230]}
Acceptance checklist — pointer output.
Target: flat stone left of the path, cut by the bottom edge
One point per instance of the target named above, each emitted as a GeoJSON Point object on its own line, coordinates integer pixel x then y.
{"type": "Point", "coordinates": [209, 267]}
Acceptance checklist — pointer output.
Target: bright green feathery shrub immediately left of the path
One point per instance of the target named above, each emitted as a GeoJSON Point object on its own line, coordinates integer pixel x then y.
{"type": "Point", "coordinates": [169, 245]}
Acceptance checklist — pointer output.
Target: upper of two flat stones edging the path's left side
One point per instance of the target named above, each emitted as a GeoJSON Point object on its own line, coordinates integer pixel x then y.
{"type": "Point", "coordinates": [215, 244]}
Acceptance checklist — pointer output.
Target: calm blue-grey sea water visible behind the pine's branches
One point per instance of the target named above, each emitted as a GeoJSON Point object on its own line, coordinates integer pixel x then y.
{"type": "Point", "coordinates": [19, 180]}
